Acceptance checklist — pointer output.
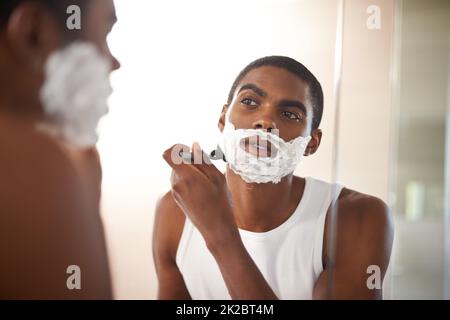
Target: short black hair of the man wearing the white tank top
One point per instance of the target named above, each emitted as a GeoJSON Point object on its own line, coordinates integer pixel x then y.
{"type": "Point", "coordinates": [296, 68]}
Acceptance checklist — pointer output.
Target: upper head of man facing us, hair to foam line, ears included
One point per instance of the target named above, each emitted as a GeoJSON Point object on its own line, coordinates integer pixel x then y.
{"type": "Point", "coordinates": [277, 92]}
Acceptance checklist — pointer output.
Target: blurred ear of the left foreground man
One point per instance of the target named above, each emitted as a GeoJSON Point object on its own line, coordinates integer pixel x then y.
{"type": "Point", "coordinates": [32, 34]}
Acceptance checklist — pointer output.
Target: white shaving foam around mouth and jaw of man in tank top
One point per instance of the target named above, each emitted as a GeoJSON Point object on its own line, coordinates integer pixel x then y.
{"type": "Point", "coordinates": [257, 169]}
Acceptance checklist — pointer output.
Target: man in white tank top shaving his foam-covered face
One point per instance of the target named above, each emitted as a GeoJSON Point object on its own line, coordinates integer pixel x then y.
{"type": "Point", "coordinates": [245, 235]}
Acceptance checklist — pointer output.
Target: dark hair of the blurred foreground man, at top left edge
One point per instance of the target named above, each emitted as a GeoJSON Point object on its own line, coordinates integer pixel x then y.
{"type": "Point", "coordinates": [57, 7]}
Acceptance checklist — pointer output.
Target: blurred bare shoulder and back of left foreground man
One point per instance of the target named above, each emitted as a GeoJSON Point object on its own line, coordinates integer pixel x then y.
{"type": "Point", "coordinates": [45, 208]}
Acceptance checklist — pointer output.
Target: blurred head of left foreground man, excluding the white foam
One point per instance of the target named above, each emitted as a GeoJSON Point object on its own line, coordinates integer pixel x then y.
{"type": "Point", "coordinates": [30, 30]}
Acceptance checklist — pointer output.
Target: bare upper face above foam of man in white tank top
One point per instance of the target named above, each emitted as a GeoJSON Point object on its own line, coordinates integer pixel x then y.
{"type": "Point", "coordinates": [272, 98]}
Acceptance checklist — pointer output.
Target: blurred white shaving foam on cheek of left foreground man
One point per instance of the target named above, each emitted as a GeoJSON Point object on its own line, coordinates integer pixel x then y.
{"type": "Point", "coordinates": [75, 93]}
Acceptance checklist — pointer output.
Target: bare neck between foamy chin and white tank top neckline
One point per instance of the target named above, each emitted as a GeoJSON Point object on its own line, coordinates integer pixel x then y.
{"type": "Point", "coordinates": [263, 207]}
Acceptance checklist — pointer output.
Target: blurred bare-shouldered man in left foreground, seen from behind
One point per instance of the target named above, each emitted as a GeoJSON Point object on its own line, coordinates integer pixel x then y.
{"type": "Point", "coordinates": [50, 226]}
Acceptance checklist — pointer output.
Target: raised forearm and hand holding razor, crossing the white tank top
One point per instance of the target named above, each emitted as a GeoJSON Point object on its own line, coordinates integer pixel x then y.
{"type": "Point", "coordinates": [200, 191]}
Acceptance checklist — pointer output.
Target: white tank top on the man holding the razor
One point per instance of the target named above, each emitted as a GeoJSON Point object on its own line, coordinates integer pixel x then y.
{"type": "Point", "coordinates": [289, 256]}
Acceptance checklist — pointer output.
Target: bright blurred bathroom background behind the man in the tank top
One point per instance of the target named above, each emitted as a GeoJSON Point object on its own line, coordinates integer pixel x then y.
{"type": "Point", "coordinates": [387, 125]}
